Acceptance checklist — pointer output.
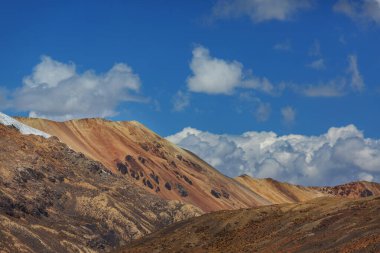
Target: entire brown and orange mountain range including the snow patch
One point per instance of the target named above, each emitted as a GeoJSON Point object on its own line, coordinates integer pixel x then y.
{"type": "Point", "coordinates": [96, 185]}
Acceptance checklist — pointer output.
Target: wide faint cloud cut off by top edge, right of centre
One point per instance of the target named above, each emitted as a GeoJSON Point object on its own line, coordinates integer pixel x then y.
{"type": "Point", "coordinates": [260, 10]}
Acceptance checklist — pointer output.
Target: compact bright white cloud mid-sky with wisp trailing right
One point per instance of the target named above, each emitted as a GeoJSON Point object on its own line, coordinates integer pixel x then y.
{"type": "Point", "coordinates": [212, 75]}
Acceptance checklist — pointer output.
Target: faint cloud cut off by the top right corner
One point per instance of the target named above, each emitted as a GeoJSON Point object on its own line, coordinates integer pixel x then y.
{"type": "Point", "coordinates": [360, 10]}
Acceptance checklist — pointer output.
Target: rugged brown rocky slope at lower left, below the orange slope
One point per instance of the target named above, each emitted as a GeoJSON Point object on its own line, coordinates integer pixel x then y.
{"type": "Point", "coordinates": [53, 199]}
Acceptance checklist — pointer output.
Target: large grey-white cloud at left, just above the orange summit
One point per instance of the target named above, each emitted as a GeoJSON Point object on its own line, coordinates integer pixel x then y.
{"type": "Point", "coordinates": [56, 90]}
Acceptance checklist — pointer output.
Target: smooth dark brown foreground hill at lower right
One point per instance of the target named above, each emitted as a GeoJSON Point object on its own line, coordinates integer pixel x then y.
{"type": "Point", "coordinates": [318, 225]}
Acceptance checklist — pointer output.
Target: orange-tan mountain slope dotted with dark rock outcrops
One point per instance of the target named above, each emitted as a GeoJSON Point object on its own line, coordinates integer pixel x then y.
{"type": "Point", "coordinates": [132, 150]}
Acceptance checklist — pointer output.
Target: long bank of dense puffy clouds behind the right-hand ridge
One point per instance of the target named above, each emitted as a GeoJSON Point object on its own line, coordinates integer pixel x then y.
{"type": "Point", "coordinates": [338, 156]}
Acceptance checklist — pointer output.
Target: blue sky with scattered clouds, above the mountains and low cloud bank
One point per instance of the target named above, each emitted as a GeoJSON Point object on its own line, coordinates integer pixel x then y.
{"type": "Point", "coordinates": [300, 49]}
